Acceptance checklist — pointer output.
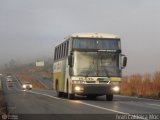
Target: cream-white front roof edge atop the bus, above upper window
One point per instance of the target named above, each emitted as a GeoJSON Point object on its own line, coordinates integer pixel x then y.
{"type": "Point", "coordinates": [94, 35]}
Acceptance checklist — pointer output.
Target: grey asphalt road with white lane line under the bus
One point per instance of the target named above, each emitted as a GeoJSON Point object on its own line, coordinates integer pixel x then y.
{"type": "Point", "coordinates": [43, 103]}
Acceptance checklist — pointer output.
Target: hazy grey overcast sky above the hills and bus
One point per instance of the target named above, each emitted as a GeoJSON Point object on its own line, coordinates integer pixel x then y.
{"type": "Point", "coordinates": [29, 29]}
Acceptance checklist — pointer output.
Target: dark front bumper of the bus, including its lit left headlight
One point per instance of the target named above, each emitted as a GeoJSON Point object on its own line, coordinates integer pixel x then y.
{"type": "Point", "coordinates": [92, 89]}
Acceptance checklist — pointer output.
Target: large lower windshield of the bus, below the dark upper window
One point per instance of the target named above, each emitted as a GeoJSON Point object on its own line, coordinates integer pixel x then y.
{"type": "Point", "coordinates": [96, 64]}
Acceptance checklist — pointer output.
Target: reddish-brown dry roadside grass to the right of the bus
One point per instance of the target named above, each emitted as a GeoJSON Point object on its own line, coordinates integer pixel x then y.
{"type": "Point", "coordinates": [146, 85]}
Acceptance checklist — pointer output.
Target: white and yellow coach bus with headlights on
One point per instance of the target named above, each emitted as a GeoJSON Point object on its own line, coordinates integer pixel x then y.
{"type": "Point", "coordinates": [88, 64]}
